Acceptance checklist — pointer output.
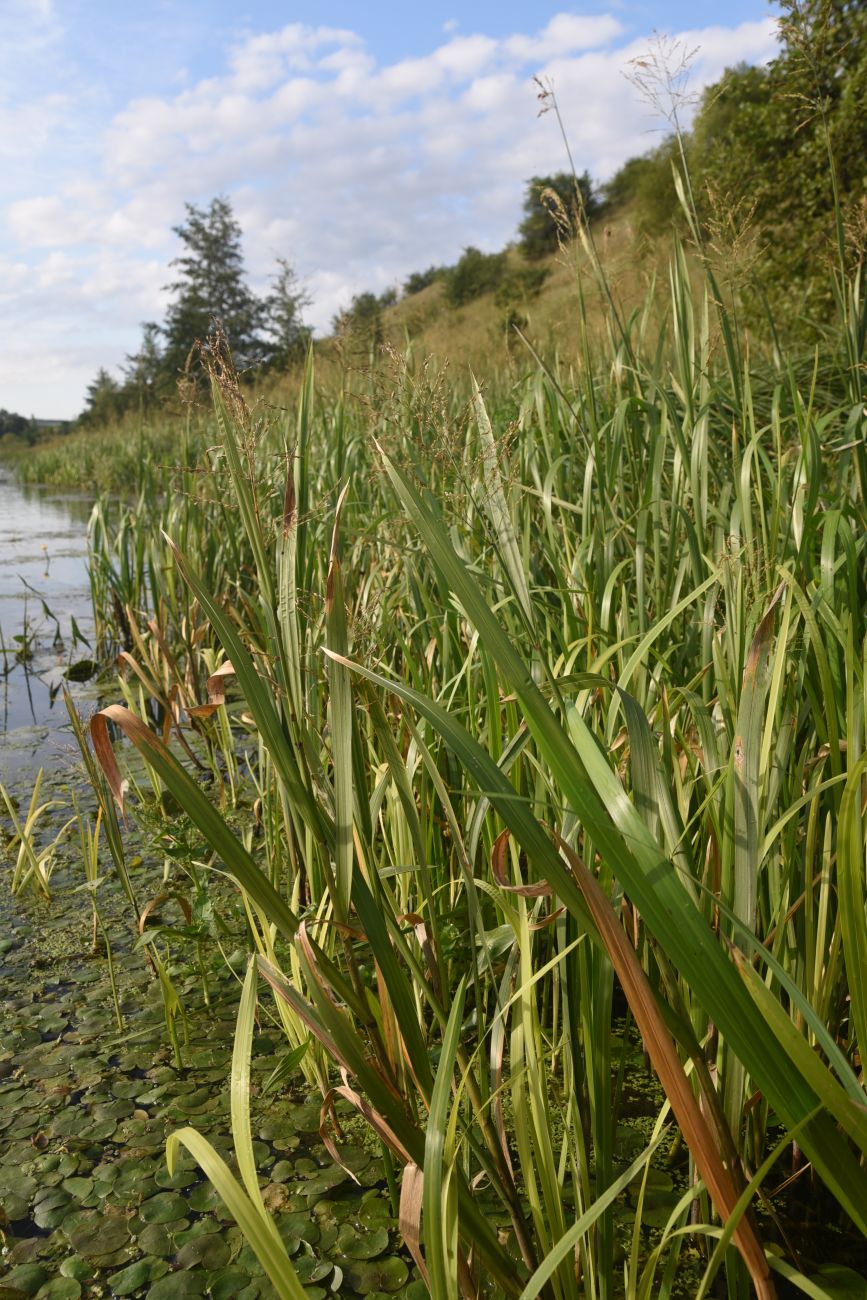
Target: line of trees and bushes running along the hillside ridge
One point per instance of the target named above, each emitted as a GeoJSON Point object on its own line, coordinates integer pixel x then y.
{"type": "Point", "coordinates": [757, 162]}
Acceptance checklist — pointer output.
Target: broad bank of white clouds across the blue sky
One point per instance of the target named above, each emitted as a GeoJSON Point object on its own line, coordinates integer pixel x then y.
{"type": "Point", "coordinates": [358, 172]}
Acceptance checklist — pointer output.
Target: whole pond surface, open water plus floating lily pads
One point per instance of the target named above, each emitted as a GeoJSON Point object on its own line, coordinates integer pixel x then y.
{"type": "Point", "coordinates": [88, 1207]}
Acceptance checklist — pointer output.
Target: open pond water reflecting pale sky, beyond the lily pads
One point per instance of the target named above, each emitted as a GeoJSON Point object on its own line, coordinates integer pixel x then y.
{"type": "Point", "coordinates": [46, 622]}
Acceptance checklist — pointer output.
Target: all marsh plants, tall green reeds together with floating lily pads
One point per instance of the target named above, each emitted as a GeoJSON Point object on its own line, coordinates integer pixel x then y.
{"type": "Point", "coordinates": [474, 860]}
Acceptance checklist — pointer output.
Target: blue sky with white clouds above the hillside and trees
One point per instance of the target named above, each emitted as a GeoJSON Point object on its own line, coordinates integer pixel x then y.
{"type": "Point", "coordinates": [361, 142]}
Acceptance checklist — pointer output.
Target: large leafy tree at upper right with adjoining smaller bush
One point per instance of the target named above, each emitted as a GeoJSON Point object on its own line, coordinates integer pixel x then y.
{"type": "Point", "coordinates": [774, 153]}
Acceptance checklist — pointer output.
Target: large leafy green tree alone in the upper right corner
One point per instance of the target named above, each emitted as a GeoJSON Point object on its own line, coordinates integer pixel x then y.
{"type": "Point", "coordinates": [765, 140]}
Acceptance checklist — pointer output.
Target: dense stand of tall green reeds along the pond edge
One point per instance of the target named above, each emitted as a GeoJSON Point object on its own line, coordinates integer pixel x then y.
{"type": "Point", "coordinates": [528, 722]}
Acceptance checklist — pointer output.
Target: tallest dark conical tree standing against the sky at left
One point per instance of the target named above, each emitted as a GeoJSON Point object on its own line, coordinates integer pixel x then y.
{"type": "Point", "coordinates": [211, 289]}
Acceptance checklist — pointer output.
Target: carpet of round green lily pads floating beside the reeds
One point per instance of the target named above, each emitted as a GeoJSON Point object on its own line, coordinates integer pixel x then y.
{"type": "Point", "coordinates": [88, 1207]}
